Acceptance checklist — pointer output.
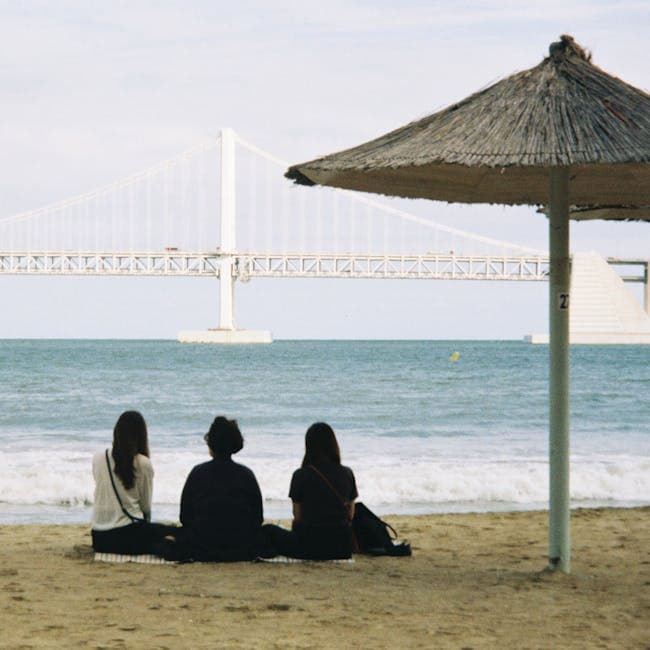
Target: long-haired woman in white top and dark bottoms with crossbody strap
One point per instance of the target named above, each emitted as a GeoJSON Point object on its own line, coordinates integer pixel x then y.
{"type": "Point", "coordinates": [121, 520]}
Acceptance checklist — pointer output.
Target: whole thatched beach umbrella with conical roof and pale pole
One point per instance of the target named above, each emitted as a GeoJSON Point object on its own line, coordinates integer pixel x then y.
{"type": "Point", "coordinates": [562, 133]}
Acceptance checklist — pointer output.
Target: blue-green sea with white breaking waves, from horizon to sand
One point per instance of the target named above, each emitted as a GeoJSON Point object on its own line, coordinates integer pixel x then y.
{"type": "Point", "coordinates": [424, 429]}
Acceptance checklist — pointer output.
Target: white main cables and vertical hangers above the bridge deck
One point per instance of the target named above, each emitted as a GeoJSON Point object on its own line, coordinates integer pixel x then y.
{"type": "Point", "coordinates": [175, 206]}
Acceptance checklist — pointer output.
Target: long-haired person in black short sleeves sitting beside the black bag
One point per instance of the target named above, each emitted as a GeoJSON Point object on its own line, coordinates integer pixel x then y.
{"type": "Point", "coordinates": [323, 493]}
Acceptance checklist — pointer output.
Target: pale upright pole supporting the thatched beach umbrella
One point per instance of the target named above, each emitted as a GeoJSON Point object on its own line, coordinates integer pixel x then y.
{"type": "Point", "coordinates": [559, 552]}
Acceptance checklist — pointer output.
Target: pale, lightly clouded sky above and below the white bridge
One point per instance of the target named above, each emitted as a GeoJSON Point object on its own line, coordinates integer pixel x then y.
{"type": "Point", "coordinates": [93, 91]}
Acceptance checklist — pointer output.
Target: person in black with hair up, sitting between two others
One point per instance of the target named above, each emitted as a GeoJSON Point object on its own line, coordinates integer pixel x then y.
{"type": "Point", "coordinates": [221, 503]}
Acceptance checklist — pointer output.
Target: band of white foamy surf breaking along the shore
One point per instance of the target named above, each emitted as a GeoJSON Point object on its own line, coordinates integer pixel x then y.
{"type": "Point", "coordinates": [389, 482]}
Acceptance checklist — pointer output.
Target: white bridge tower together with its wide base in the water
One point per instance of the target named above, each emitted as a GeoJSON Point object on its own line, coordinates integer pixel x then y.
{"type": "Point", "coordinates": [227, 332]}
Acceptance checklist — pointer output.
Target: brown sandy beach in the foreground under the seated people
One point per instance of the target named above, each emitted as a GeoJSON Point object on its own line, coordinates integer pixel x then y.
{"type": "Point", "coordinates": [474, 581]}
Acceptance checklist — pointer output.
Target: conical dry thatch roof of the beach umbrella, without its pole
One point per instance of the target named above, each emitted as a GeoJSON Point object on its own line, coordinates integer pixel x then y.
{"type": "Point", "coordinates": [499, 144]}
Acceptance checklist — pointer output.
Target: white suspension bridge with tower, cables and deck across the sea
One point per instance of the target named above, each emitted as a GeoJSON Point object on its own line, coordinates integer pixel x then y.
{"type": "Point", "coordinates": [223, 209]}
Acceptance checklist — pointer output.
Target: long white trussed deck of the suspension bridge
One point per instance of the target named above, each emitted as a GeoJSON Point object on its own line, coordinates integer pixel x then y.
{"type": "Point", "coordinates": [285, 265]}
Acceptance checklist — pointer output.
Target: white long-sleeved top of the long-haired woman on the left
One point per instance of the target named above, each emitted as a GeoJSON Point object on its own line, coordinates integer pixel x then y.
{"type": "Point", "coordinates": [107, 513]}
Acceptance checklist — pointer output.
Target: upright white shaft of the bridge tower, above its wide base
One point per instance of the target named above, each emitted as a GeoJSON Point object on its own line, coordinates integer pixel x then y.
{"type": "Point", "coordinates": [226, 278]}
